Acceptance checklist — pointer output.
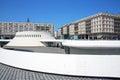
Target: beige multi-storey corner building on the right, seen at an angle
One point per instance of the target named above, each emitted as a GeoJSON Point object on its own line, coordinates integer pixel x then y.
{"type": "Point", "coordinates": [98, 26]}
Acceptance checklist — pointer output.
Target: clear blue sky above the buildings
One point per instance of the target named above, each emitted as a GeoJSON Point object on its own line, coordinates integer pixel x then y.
{"type": "Point", "coordinates": [58, 12]}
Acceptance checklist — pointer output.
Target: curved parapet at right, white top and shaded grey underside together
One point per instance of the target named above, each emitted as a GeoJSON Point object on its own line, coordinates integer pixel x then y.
{"type": "Point", "coordinates": [92, 47]}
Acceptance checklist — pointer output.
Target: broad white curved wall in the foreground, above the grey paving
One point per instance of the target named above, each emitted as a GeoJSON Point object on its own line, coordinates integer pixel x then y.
{"type": "Point", "coordinates": [85, 65]}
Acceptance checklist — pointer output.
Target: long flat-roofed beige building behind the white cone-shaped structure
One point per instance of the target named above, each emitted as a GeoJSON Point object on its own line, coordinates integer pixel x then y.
{"type": "Point", "coordinates": [8, 29]}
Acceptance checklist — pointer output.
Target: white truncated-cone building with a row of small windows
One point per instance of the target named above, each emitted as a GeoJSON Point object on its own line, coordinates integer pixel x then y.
{"type": "Point", "coordinates": [30, 38]}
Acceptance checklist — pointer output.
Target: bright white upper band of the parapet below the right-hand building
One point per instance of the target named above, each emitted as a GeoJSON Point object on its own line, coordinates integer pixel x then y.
{"type": "Point", "coordinates": [92, 43]}
